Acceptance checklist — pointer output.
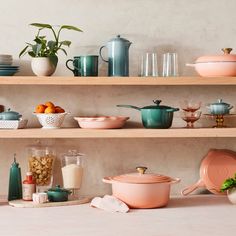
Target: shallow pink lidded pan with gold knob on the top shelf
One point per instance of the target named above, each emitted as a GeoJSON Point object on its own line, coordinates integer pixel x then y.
{"type": "Point", "coordinates": [218, 65]}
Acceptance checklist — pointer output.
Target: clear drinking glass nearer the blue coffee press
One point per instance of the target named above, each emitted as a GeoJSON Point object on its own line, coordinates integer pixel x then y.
{"type": "Point", "coordinates": [149, 65]}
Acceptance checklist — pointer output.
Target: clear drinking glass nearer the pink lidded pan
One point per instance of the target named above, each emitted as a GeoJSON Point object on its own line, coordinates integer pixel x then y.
{"type": "Point", "coordinates": [170, 65]}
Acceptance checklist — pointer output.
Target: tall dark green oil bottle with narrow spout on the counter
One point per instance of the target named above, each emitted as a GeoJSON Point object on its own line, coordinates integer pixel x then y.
{"type": "Point", "coordinates": [15, 184]}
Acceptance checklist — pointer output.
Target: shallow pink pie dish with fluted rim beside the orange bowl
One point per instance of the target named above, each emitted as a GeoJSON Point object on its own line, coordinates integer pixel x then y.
{"type": "Point", "coordinates": [101, 122]}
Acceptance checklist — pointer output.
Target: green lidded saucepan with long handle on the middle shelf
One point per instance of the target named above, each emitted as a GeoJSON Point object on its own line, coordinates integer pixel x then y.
{"type": "Point", "coordinates": [155, 116]}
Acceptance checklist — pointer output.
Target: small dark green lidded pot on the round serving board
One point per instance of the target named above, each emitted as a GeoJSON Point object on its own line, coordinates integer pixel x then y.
{"type": "Point", "coordinates": [58, 194]}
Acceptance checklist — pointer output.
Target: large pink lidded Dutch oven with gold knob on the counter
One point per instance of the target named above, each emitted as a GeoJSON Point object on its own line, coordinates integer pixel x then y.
{"type": "Point", "coordinates": [140, 190]}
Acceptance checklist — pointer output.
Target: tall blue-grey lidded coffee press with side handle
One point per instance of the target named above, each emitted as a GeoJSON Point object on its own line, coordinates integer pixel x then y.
{"type": "Point", "coordinates": [118, 56]}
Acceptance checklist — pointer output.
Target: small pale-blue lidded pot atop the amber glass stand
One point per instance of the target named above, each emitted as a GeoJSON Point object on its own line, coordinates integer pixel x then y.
{"type": "Point", "coordinates": [219, 108]}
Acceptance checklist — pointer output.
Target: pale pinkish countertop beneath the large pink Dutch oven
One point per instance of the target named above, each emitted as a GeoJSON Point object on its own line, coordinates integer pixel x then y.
{"type": "Point", "coordinates": [194, 215]}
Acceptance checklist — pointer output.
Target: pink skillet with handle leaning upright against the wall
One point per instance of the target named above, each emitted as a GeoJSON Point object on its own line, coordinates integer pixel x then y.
{"type": "Point", "coordinates": [216, 166]}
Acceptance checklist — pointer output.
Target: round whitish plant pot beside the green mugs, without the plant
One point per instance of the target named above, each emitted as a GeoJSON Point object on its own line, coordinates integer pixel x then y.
{"type": "Point", "coordinates": [42, 66]}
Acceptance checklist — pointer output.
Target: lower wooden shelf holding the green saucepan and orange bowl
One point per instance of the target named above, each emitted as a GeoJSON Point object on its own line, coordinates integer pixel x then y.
{"type": "Point", "coordinates": [120, 133]}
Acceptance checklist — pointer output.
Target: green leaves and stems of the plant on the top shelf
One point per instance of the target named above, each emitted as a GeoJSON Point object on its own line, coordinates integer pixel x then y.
{"type": "Point", "coordinates": [41, 47]}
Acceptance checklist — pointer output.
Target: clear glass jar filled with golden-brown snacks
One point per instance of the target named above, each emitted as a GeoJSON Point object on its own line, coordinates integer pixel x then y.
{"type": "Point", "coordinates": [41, 161]}
